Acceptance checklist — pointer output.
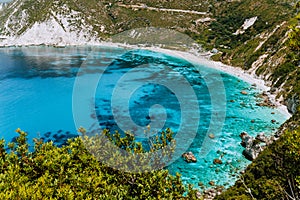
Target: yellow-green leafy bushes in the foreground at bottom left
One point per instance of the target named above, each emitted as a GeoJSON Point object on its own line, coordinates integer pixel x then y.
{"type": "Point", "coordinates": [71, 172]}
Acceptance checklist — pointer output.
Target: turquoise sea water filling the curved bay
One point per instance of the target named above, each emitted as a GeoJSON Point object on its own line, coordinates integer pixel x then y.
{"type": "Point", "coordinates": [42, 89]}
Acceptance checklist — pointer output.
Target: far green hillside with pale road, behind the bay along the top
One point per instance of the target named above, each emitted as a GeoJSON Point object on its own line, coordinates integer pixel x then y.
{"type": "Point", "coordinates": [211, 23]}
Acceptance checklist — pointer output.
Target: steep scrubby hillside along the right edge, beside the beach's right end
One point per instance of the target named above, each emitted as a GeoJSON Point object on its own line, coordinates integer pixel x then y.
{"type": "Point", "coordinates": [275, 173]}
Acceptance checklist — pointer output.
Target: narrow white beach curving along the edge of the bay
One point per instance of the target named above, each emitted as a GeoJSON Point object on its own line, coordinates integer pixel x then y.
{"type": "Point", "coordinates": [191, 56]}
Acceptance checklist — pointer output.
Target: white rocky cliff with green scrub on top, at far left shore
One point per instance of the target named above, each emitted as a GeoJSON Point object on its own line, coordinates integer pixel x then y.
{"type": "Point", "coordinates": [36, 22]}
